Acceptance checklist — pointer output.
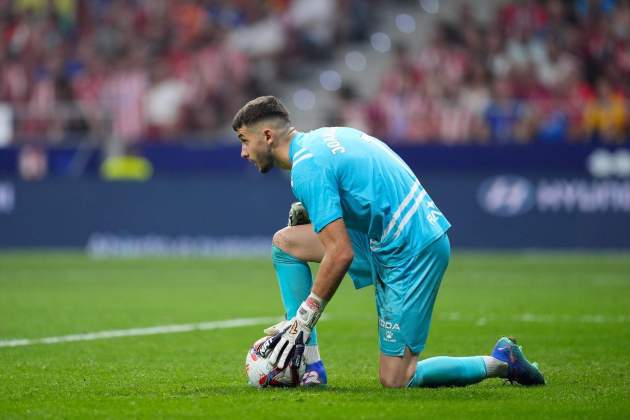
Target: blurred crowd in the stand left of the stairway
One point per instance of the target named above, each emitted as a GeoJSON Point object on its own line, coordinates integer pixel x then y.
{"type": "Point", "coordinates": [141, 70]}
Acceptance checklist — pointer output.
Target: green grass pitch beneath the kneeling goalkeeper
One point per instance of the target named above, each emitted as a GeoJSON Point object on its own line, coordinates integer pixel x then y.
{"type": "Point", "coordinates": [571, 312]}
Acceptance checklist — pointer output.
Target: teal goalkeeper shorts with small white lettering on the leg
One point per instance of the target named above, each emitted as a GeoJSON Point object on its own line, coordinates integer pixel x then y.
{"type": "Point", "coordinates": [405, 294]}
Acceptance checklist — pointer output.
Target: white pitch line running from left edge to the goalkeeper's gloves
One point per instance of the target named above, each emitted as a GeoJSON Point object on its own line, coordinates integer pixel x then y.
{"type": "Point", "coordinates": [134, 332]}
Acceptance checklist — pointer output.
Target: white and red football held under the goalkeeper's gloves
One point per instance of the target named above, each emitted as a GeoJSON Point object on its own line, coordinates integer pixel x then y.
{"type": "Point", "coordinates": [261, 374]}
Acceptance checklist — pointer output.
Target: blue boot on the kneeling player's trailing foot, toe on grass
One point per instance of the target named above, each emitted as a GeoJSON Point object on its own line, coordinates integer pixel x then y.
{"type": "Point", "coordinates": [519, 368]}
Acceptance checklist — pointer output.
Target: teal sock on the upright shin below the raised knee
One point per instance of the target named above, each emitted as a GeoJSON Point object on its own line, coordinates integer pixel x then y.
{"type": "Point", "coordinates": [295, 281]}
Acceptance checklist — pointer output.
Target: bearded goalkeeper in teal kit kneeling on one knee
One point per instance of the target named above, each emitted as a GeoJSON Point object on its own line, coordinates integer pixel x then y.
{"type": "Point", "coordinates": [369, 217]}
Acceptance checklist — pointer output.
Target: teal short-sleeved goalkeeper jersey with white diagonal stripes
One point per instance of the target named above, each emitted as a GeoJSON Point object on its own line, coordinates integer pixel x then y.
{"type": "Point", "coordinates": [341, 172]}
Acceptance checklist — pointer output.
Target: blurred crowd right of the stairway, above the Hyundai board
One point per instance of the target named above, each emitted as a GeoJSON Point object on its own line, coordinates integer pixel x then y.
{"type": "Point", "coordinates": [542, 71]}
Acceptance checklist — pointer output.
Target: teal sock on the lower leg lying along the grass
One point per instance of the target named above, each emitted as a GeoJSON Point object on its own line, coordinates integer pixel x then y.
{"type": "Point", "coordinates": [449, 371]}
